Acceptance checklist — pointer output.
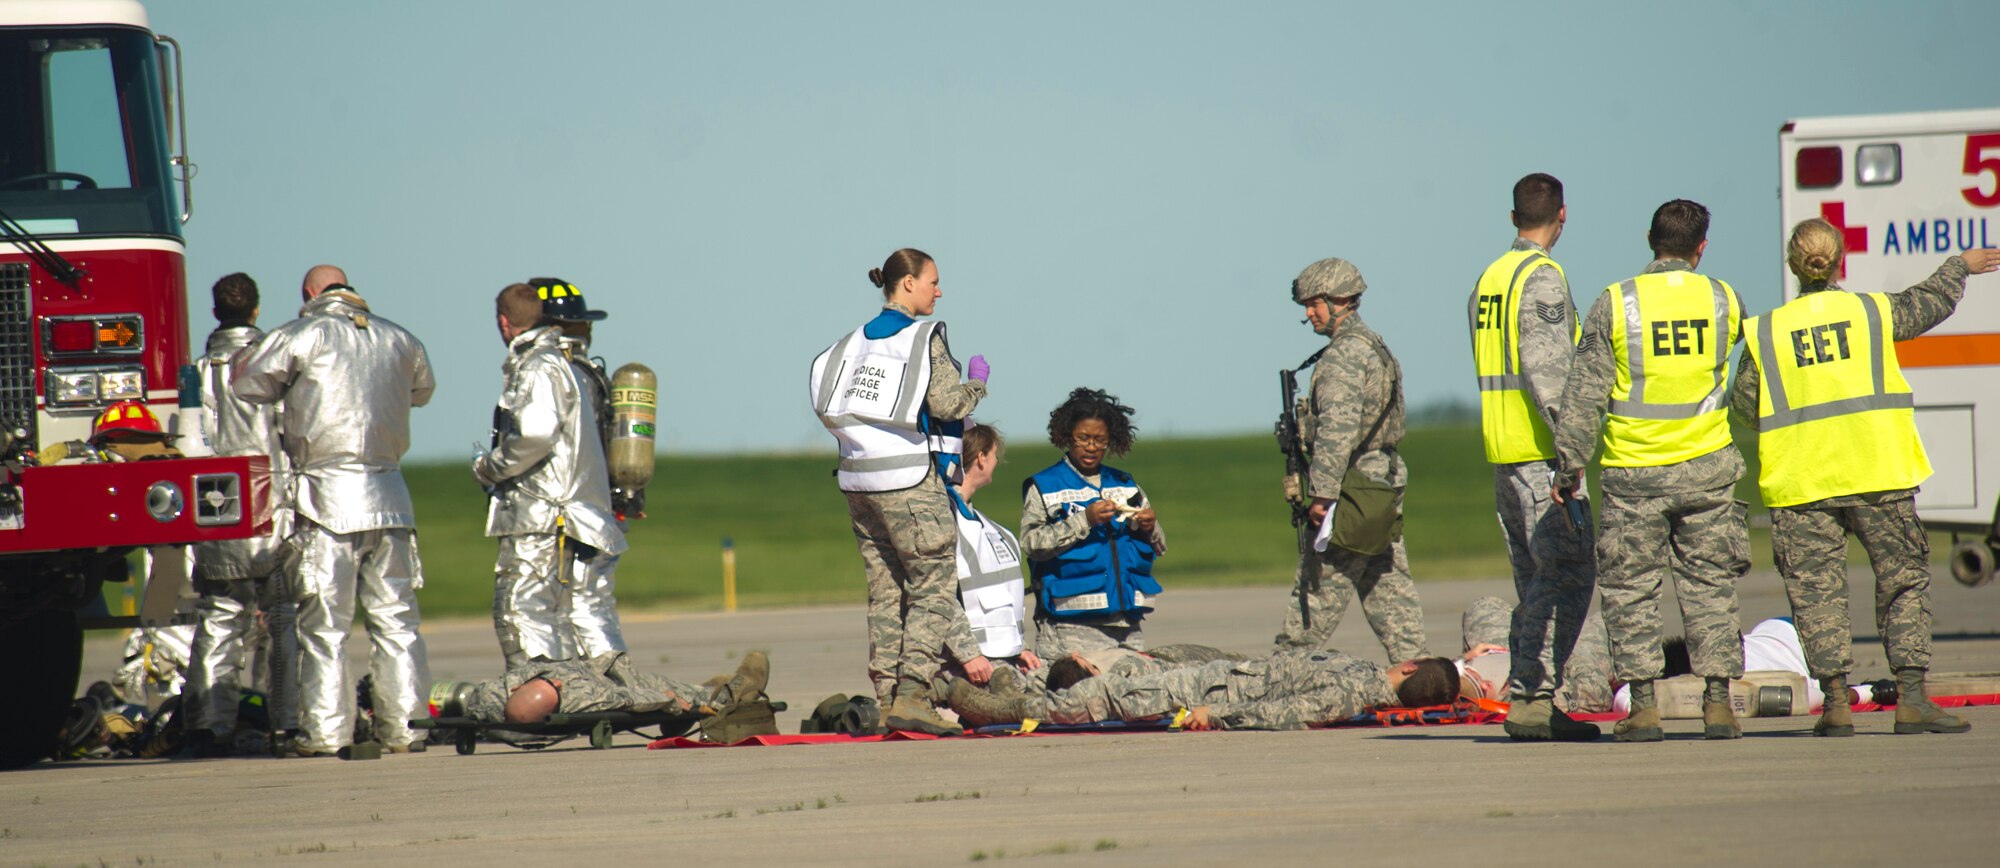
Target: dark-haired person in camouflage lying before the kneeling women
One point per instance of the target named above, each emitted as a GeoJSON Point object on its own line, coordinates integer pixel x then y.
{"type": "Point", "coordinates": [1285, 691]}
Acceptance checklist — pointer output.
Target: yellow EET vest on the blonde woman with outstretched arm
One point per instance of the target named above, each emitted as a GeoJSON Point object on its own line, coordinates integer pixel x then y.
{"type": "Point", "coordinates": [1835, 415]}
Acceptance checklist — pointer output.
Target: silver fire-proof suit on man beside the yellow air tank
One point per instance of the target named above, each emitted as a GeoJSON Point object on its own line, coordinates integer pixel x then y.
{"type": "Point", "coordinates": [551, 509]}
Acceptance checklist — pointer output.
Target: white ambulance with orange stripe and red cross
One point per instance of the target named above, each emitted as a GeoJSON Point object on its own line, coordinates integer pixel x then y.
{"type": "Point", "coordinates": [1907, 193]}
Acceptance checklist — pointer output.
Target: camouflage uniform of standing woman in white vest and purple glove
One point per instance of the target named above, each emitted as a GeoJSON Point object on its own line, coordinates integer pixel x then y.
{"type": "Point", "coordinates": [909, 545]}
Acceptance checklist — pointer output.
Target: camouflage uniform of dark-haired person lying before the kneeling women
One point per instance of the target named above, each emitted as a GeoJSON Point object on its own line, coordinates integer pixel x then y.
{"type": "Point", "coordinates": [1287, 691]}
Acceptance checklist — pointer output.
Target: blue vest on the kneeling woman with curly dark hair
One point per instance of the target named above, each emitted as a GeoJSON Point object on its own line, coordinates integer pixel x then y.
{"type": "Point", "coordinates": [1107, 573]}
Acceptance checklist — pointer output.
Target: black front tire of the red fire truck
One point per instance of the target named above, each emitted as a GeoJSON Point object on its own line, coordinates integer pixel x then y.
{"type": "Point", "coordinates": [29, 731]}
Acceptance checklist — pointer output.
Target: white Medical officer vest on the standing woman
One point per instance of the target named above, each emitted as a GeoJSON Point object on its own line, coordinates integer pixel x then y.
{"type": "Point", "coordinates": [871, 395]}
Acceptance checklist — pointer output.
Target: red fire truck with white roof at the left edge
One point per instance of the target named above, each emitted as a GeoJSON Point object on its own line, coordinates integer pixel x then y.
{"type": "Point", "coordinates": [93, 313]}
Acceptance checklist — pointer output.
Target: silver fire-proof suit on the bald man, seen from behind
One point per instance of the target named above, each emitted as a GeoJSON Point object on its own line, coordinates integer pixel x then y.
{"type": "Point", "coordinates": [347, 383]}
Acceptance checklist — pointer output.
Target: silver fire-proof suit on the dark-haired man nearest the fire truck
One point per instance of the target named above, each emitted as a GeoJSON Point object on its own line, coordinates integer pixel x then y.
{"type": "Point", "coordinates": [241, 579]}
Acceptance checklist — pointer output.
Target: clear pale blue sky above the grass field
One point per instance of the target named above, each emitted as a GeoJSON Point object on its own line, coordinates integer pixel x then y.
{"type": "Point", "coordinates": [1119, 193]}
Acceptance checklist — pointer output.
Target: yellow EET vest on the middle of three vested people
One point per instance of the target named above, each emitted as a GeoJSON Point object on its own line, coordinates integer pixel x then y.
{"type": "Point", "coordinates": [1673, 369]}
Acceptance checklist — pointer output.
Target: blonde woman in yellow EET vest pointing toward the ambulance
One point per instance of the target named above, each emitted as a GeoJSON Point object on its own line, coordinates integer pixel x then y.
{"type": "Point", "coordinates": [1839, 455]}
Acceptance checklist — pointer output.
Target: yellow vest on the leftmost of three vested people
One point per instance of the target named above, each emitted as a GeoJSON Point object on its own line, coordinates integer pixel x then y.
{"type": "Point", "coordinates": [1513, 425]}
